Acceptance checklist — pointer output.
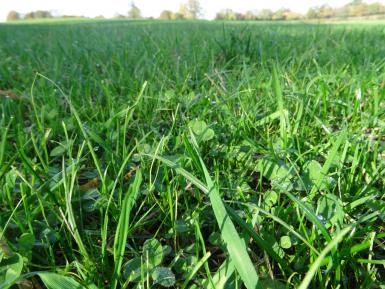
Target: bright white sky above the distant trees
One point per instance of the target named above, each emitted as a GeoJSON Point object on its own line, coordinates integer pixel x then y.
{"type": "Point", "coordinates": [153, 8]}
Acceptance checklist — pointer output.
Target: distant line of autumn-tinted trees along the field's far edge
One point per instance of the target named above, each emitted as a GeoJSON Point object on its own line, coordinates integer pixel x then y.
{"type": "Point", "coordinates": [193, 10]}
